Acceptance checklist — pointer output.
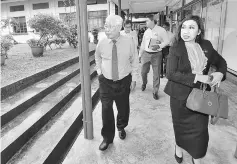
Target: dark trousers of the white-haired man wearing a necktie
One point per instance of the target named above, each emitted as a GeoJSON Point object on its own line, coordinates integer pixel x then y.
{"type": "Point", "coordinates": [111, 91]}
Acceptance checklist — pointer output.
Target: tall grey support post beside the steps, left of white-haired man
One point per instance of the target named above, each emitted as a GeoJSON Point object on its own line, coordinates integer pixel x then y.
{"type": "Point", "coordinates": [83, 51]}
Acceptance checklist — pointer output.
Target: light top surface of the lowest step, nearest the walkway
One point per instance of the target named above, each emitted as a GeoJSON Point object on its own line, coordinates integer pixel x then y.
{"type": "Point", "coordinates": [38, 149]}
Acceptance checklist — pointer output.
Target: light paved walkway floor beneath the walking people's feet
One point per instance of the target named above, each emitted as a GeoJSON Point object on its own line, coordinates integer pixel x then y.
{"type": "Point", "coordinates": [150, 136]}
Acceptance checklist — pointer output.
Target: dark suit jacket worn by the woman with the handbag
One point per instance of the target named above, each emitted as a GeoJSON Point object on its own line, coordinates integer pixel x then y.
{"type": "Point", "coordinates": [179, 72]}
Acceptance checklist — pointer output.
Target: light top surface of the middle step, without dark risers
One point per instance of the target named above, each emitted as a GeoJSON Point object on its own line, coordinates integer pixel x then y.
{"type": "Point", "coordinates": [21, 123]}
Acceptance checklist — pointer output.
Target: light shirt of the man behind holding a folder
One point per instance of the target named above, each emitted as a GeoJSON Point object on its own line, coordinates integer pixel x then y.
{"type": "Point", "coordinates": [158, 33]}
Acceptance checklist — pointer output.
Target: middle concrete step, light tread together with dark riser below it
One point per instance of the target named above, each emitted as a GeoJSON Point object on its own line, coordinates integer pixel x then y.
{"type": "Point", "coordinates": [19, 131]}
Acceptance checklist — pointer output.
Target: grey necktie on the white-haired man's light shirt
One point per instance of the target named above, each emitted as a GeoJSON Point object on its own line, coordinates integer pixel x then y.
{"type": "Point", "coordinates": [115, 75]}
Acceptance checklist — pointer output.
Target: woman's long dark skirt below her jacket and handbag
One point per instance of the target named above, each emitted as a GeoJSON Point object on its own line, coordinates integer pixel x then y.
{"type": "Point", "coordinates": [190, 128]}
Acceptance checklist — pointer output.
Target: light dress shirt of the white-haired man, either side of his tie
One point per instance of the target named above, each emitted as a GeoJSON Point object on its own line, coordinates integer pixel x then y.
{"type": "Point", "coordinates": [127, 57]}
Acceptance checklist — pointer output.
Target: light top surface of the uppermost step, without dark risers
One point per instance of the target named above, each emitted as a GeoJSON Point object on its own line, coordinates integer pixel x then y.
{"type": "Point", "coordinates": [24, 95]}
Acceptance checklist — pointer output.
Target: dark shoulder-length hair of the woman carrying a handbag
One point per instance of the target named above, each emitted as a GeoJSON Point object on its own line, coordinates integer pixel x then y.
{"type": "Point", "coordinates": [199, 22]}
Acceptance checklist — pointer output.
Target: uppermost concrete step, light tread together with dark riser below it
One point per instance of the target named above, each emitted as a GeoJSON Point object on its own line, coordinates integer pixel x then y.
{"type": "Point", "coordinates": [14, 105]}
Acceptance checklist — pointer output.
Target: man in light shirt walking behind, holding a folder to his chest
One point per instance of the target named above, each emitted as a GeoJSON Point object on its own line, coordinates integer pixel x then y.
{"type": "Point", "coordinates": [152, 55]}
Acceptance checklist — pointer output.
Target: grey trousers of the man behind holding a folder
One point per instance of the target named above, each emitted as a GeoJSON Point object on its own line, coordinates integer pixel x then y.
{"type": "Point", "coordinates": [153, 59]}
